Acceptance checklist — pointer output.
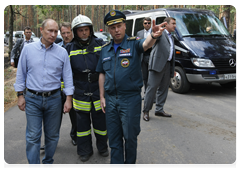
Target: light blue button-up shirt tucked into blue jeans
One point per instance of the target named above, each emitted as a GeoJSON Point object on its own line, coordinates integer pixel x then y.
{"type": "Point", "coordinates": [43, 68]}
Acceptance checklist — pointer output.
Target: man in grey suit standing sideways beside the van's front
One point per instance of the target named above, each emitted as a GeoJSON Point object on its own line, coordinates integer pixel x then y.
{"type": "Point", "coordinates": [161, 69]}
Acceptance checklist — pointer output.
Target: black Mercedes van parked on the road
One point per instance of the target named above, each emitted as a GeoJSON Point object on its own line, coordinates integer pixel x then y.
{"type": "Point", "coordinates": [205, 50]}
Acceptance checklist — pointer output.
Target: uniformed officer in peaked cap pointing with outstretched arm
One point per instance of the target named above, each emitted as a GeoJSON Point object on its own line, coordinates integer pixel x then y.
{"type": "Point", "coordinates": [120, 83]}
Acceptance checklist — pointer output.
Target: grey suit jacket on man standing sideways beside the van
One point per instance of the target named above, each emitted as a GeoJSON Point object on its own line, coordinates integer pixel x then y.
{"type": "Point", "coordinates": [160, 53]}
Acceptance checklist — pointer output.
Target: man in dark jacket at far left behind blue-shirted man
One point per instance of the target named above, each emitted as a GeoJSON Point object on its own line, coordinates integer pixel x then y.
{"type": "Point", "coordinates": [15, 53]}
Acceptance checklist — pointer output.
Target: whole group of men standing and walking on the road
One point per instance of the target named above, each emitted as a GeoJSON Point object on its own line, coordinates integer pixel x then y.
{"type": "Point", "coordinates": [86, 77]}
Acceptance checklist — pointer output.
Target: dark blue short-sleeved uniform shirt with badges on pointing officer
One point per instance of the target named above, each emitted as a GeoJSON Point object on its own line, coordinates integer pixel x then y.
{"type": "Point", "coordinates": [122, 69]}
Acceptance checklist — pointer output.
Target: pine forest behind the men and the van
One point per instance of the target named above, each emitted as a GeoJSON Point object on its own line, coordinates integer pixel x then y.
{"type": "Point", "coordinates": [16, 17]}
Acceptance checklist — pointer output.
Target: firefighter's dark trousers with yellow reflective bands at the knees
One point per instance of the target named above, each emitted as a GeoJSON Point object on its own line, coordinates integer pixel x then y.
{"type": "Point", "coordinates": [84, 137]}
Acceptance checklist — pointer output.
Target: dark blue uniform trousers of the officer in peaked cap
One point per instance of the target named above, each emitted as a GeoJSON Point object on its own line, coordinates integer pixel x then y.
{"type": "Point", "coordinates": [123, 126]}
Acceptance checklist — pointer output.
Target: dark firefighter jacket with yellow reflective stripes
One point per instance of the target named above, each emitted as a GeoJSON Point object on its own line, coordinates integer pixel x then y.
{"type": "Point", "coordinates": [84, 59]}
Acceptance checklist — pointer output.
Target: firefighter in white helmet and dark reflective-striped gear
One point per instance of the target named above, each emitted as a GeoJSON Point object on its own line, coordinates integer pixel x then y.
{"type": "Point", "coordinates": [84, 51]}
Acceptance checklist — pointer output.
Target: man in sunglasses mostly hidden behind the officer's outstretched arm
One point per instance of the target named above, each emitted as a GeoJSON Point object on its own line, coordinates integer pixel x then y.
{"type": "Point", "coordinates": [145, 55]}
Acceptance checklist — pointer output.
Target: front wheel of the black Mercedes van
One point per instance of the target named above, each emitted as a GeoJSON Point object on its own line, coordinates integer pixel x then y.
{"type": "Point", "coordinates": [179, 83]}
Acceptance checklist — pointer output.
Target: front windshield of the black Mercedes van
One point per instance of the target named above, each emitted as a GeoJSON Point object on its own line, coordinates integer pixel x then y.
{"type": "Point", "coordinates": [199, 24]}
